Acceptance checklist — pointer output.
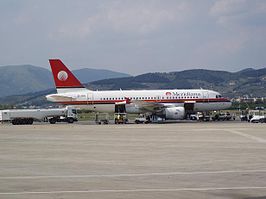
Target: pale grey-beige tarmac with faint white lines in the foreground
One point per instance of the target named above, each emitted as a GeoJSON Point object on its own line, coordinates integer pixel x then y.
{"type": "Point", "coordinates": [182, 160]}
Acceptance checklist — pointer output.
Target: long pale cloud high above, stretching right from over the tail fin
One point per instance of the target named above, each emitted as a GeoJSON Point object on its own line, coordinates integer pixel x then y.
{"type": "Point", "coordinates": [138, 17]}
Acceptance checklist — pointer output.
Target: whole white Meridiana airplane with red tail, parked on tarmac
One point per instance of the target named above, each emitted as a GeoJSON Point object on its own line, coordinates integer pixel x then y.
{"type": "Point", "coordinates": [170, 104]}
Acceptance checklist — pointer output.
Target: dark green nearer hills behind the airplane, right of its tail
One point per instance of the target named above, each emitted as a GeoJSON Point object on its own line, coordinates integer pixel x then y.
{"type": "Point", "coordinates": [249, 82]}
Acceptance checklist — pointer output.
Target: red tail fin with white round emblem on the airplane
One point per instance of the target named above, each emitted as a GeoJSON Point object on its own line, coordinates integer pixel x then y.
{"type": "Point", "coordinates": [63, 77]}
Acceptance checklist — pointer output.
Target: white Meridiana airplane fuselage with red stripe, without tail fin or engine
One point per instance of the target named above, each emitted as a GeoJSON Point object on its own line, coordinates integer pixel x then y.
{"type": "Point", "coordinates": [105, 101]}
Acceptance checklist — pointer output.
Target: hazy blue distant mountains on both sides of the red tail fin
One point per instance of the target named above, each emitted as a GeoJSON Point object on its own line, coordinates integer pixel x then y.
{"type": "Point", "coordinates": [22, 79]}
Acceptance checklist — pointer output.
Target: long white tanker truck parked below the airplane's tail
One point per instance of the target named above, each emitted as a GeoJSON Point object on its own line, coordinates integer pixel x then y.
{"type": "Point", "coordinates": [27, 116]}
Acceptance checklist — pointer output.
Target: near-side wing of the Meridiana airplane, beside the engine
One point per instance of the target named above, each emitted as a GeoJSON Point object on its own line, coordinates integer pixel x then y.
{"type": "Point", "coordinates": [150, 106]}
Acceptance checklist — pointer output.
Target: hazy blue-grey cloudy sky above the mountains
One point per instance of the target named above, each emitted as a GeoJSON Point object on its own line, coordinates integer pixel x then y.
{"type": "Point", "coordinates": [135, 36]}
